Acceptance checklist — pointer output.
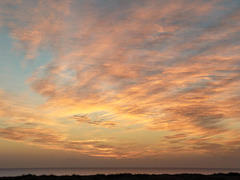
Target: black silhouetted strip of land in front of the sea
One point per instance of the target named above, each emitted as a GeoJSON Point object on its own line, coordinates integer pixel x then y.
{"type": "Point", "coordinates": [220, 176]}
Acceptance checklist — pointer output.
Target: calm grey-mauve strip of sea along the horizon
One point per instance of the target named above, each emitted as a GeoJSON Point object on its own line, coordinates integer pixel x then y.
{"type": "Point", "coordinates": [94, 171]}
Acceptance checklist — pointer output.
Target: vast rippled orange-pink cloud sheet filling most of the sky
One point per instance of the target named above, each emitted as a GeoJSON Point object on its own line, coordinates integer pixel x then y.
{"type": "Point", "coordinates": [158, 66]}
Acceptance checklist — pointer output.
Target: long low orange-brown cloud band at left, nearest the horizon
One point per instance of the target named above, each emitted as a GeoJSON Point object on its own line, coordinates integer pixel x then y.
{"type": "Point", "coordinates": [49, 139]}
